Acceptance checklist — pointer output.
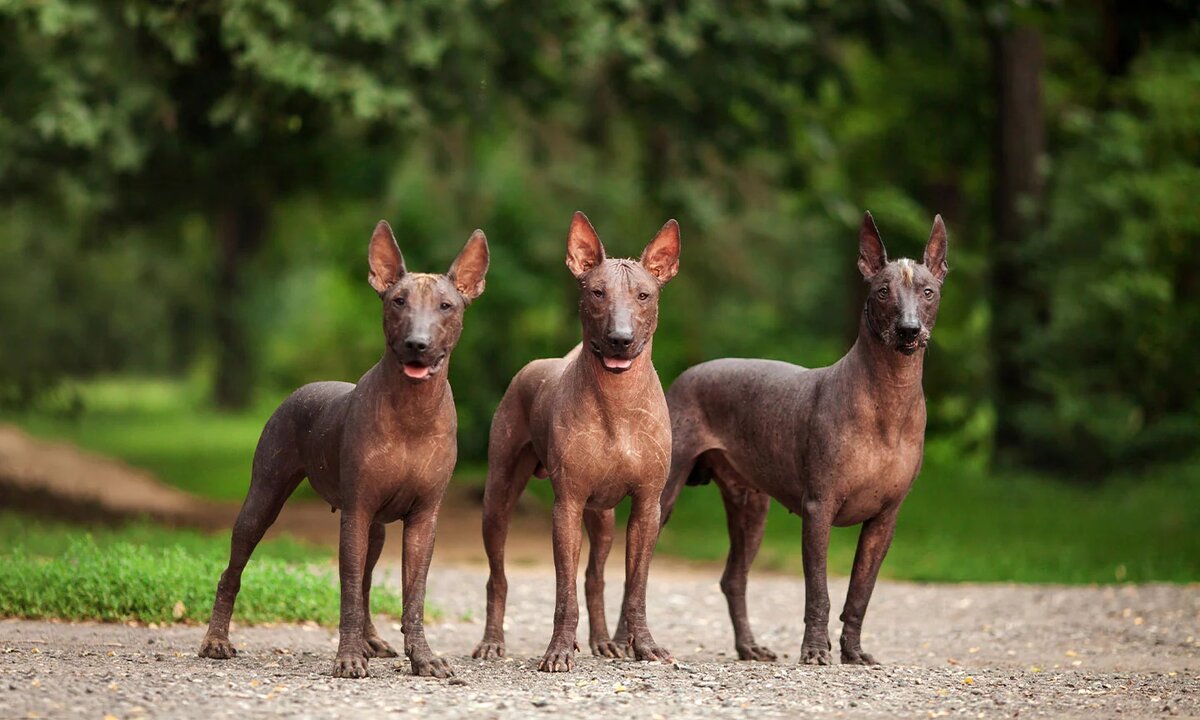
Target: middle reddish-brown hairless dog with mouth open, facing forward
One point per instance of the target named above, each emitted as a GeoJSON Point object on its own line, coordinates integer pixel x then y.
{"type": "Point", "coordinates": [596, 423]}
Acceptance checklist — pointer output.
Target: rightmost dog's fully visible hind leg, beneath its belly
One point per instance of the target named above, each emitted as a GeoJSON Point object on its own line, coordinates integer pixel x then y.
{"type": "Point", "coordinates": [746, 512]}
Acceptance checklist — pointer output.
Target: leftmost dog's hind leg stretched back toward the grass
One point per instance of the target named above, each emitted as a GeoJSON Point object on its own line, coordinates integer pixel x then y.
{"type": "Point", "coordinates": [273, 482]}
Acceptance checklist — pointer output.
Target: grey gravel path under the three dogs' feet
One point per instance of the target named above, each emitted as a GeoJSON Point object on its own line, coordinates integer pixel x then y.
{"type": "Point", "coordinates": [977, 651]}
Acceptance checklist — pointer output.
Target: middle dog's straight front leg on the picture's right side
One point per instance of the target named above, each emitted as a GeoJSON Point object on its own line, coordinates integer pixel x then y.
{"type": "Point", "coordinates": [643, 535]}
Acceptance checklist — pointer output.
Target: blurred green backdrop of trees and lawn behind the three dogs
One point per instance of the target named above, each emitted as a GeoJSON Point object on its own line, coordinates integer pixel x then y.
{"type": "Point", "coordinates": [188, 190]}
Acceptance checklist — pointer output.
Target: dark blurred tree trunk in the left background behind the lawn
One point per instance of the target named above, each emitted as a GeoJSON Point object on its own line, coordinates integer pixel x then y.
{"type": "Point", "coordinates": [239, 230]}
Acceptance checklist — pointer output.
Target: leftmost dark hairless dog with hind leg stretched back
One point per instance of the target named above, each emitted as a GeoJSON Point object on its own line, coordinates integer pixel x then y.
{"type": "Point", "coordinates": [381, 451]}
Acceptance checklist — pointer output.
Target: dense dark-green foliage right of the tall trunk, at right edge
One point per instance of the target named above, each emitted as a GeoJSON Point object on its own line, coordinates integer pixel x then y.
{"type": "Point", "coordinates": [1119, 361]}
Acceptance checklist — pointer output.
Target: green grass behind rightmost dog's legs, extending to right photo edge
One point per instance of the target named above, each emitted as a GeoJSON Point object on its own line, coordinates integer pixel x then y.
{"type": "Point", "coordinates": [962, 524]}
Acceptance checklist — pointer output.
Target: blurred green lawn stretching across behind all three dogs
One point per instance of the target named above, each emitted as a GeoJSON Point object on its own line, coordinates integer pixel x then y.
{"type": "Point", "coordinates": [961, 523]}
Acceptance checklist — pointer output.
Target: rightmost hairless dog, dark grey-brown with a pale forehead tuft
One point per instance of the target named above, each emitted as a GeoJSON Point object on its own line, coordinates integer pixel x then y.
{"type": "Point", "coordinates": [838, 446]}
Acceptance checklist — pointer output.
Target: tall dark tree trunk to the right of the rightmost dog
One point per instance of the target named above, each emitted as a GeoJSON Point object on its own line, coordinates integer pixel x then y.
{"type": "Point", "coordinates": [1017, 200]}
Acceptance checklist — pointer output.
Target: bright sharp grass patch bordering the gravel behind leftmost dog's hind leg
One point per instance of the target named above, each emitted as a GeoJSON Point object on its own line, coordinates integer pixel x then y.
{"type": "Point", "coordinates": [152, 574]}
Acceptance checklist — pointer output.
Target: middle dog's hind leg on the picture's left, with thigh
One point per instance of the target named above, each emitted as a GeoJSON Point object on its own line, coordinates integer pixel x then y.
{"type": "Point", "coordinates": [511, 463]}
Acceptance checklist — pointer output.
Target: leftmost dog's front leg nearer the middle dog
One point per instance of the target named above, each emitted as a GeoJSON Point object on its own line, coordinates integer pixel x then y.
{"type": "Point", "coordinates": [421, 529]}
